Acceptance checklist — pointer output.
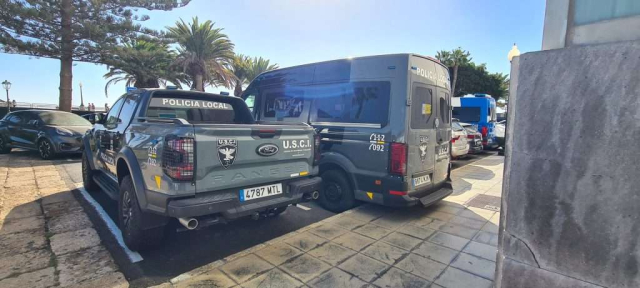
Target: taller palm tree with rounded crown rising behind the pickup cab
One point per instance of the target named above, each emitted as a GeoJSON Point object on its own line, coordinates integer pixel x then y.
{"type": "Point", "coordinates": [204, 53]}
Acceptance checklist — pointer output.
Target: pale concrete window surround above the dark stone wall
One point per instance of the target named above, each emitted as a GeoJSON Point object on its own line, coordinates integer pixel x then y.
{"type": "Point", "coordinates": [560, 30]}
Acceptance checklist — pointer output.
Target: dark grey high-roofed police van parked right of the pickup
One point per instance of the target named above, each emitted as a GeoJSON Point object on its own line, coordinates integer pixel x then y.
{"type": "Point", "coordinates": [384, 122]}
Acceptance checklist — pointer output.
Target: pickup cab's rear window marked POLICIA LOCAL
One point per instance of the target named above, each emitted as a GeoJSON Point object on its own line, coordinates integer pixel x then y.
{"type": "Point", "coordinates": [192, 110]}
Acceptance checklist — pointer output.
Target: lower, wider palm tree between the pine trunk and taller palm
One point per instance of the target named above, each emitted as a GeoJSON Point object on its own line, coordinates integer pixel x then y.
{"type": "Point", "coordinates": [142, 64]}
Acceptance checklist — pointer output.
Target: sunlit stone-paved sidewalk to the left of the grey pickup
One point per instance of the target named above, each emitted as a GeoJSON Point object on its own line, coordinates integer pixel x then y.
{"type": "Point", "coordinates": [46, 239]}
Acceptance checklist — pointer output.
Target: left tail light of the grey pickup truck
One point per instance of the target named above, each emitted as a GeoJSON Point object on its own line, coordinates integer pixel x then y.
{"type": "Point", "coordinates": [178, 158]}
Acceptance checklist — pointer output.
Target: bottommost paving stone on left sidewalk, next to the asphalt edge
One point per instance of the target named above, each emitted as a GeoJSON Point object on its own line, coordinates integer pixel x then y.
{"type": "Point", "coordinates": [85, 265]}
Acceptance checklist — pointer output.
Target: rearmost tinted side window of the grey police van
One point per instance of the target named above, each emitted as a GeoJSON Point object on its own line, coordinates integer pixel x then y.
{"type": "Point", "coordinates": [355, 102]}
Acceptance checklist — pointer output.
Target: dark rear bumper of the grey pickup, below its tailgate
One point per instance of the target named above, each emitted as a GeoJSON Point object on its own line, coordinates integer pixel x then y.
{"type": "Point", "coordinates": [228, 205]}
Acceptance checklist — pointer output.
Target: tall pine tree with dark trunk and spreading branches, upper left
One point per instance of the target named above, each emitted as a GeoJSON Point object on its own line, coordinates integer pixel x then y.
{"type": "Point", "coordinates": [73, 30]}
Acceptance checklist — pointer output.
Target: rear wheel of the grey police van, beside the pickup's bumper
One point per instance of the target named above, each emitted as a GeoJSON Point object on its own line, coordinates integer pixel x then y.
{"type": "Point", "coordinates": [337, 195]}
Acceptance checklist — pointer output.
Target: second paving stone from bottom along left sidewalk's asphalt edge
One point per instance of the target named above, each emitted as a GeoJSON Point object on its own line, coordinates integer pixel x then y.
{"type": "Point", "coordinates": [72, 241]}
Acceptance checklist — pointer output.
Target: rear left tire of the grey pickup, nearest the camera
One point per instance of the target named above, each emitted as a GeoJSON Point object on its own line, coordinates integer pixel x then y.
{"type": "Point", "coordinates": [130, 218]}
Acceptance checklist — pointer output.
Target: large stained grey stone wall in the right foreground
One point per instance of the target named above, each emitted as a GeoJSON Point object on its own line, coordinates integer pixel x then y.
{"type": "Point", "coordinates": [571, 194]}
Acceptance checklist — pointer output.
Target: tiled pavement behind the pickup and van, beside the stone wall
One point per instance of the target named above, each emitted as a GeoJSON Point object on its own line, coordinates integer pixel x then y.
{"type": "Point", "coordinates": [452, 244]}
